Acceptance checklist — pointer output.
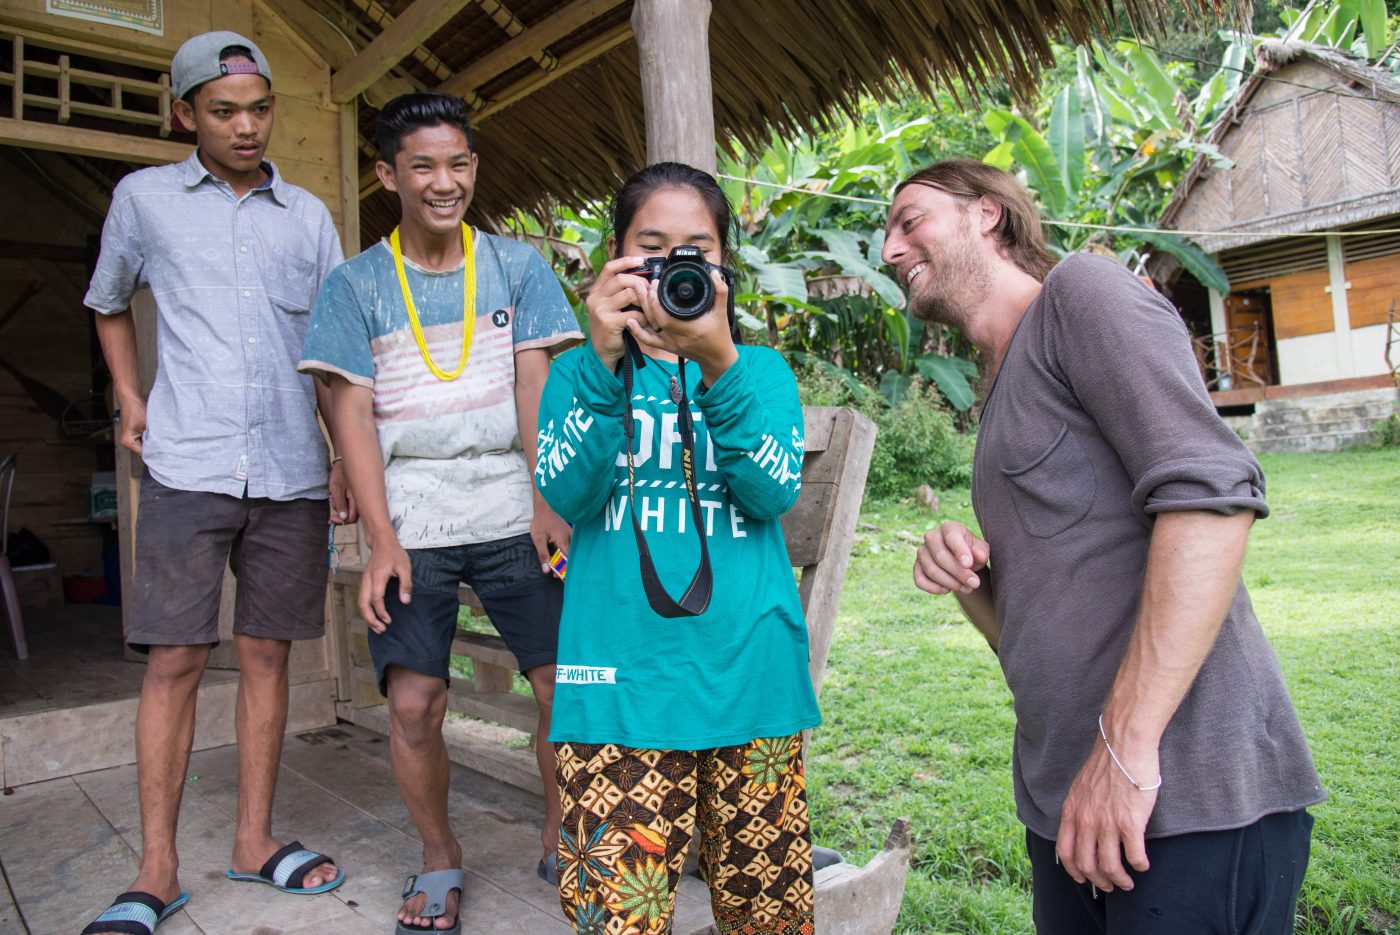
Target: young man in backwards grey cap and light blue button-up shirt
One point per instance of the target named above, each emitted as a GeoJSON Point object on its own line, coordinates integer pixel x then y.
{"type": "Point", "coordinates": [236, 464]}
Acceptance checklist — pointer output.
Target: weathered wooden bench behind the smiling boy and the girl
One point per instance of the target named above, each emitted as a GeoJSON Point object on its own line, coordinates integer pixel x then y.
{"type": "Point", "coordinates": [818, 530]}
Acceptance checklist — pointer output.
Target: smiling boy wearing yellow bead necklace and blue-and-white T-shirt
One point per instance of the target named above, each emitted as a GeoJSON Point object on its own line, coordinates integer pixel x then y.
{"type": "Point", "coordinates": [436, 345]}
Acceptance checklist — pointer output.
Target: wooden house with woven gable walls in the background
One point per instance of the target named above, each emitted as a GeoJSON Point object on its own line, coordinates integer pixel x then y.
{"type": "Point", "coordinates": [1305, 220]}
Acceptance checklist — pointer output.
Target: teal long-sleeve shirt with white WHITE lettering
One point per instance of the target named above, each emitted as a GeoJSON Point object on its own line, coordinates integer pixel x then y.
{"type": "Point", "coordinates": [626, 675]}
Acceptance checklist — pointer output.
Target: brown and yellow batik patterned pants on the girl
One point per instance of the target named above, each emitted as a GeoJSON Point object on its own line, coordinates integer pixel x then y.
{"type": "Point", "coordinates": [631, 815]}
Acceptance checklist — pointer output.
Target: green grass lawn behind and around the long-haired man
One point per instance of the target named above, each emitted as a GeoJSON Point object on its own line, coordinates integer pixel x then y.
{"type": "Point", "coordinates": [919, 723]}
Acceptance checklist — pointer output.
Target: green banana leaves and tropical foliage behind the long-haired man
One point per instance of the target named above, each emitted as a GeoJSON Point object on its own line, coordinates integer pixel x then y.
{"type": "Point", "coordinates": [1104, 146]}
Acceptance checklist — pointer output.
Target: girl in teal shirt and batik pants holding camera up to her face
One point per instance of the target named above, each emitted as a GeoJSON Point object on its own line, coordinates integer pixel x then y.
{"type": "Point", "coordinates": [675, 712]}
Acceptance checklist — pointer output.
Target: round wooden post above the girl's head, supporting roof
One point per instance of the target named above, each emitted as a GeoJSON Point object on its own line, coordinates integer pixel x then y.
{"type": "Point", "coordinates": [674, 50]}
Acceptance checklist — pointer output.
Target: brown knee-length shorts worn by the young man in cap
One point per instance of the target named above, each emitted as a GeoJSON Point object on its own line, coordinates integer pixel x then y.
{"type": "Point", "coordinates": [184, 540]}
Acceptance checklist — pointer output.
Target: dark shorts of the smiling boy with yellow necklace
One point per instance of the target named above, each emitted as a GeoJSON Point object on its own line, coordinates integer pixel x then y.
{"type": "Point", "coordinates": [523, 603]}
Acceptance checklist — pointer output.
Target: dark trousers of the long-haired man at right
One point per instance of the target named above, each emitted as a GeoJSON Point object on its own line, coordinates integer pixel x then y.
{"type": "Point", "coordinates": [1241, 883]}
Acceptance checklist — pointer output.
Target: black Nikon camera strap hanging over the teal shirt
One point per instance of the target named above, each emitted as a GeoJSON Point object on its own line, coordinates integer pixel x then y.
{"type": "Point", "coordinates": [696, 598]}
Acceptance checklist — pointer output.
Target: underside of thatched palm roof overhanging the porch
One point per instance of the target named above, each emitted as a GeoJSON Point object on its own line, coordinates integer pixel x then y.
{"type": "Point", "coordinates": [776, 65]}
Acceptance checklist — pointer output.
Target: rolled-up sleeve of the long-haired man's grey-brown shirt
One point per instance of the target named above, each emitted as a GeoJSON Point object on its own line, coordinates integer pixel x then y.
{"type": "Point", "coordinates": [1126, 355]}
